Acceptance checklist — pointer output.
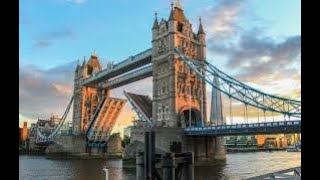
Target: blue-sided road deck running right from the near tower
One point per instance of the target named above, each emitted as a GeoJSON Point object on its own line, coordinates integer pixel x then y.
{"type": "Point", "coordinates": [246, 129]}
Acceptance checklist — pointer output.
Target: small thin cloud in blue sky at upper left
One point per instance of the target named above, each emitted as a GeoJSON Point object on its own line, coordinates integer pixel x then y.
{"type": "Point", "coordinates": [47, 39]}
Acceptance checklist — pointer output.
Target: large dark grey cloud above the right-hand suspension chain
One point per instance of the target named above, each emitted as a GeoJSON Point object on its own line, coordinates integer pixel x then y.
{"type": "Point", "coordinates": [261, 59]}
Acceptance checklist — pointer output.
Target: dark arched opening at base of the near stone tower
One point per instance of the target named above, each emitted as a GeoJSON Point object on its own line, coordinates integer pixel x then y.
{"type": "Point", "coordinates": [188, 115]}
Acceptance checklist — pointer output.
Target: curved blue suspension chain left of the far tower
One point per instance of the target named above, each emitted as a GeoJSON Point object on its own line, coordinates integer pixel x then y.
{"type": "Point", "coordinates": [42, 138]}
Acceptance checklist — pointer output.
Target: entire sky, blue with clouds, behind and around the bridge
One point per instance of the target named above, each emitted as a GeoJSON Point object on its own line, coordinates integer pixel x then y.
{"type": "Point", "coordinates": [257, 42]}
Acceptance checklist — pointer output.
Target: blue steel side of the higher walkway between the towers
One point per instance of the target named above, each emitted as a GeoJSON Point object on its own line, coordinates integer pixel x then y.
{"type": "Point", "coordinates": [142, 56]}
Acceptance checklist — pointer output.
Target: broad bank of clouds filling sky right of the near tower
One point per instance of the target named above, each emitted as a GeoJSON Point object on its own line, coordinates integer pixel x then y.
{"type": "Point", "coordinates": [251, 56]}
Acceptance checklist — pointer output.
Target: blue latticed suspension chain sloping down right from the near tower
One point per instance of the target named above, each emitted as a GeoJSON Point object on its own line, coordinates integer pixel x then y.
{"type": "Point", "coordinates": [241, 92]}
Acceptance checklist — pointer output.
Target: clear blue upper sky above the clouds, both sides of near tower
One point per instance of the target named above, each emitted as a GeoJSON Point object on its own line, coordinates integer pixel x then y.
{"type": "Point", "coordinates": [116, 29]}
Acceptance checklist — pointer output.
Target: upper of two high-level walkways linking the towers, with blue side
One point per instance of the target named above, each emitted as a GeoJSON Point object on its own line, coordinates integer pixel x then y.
{"type": "Point", "coordinates": [133, 62]}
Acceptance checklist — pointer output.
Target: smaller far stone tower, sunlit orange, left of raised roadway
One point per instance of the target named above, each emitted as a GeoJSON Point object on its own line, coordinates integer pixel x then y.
{"type": "Point", "coordinates": [85, 98]}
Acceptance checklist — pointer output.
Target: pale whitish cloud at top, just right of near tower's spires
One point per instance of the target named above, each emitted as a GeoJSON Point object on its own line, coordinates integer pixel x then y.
{"type": "Point", "coordinates": [221, 19]}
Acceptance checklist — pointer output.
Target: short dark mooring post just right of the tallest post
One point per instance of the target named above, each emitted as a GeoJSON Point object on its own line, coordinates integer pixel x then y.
{"type": "Point", "coordinates": [168, 167]}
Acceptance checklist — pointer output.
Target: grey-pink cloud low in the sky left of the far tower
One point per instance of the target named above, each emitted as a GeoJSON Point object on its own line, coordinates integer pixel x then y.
{"type": "Point", "coordinates": [44, 92]}
